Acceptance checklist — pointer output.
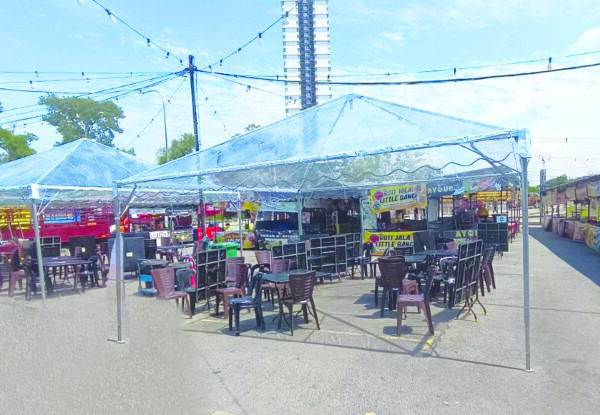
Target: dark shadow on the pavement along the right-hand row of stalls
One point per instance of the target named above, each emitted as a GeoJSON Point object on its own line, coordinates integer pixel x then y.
{"type": "Point", "coordinates": [577, 255]}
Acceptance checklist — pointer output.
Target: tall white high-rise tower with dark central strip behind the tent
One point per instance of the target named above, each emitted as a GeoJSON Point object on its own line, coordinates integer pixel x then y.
{"type": "Point", "coordinates": [305, 53]}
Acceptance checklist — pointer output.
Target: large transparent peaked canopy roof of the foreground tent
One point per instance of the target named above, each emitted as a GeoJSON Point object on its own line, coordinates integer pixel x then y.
{"type": "Point", "coordinates": [338, 148]}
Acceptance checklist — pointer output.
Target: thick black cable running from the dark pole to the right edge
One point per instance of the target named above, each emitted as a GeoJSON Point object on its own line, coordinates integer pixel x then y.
{"type": "Point", "coordinates": [414, 82]}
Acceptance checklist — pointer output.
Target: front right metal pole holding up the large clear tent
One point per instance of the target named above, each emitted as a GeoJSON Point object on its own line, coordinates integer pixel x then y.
{"type": "Point", "coordinates": [525, 219]}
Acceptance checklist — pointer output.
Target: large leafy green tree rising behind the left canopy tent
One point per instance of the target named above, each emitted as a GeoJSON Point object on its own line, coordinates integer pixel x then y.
{"type": "Point", "coordinates": [76, 118]}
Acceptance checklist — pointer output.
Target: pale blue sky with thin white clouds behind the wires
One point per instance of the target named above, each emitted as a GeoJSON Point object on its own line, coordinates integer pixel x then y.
{"type": "Point", "coordinates": [366, 37]}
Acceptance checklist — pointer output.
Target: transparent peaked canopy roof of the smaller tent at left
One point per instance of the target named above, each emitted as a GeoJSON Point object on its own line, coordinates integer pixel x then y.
{"type": "Point", "coordinates": [81, 171]}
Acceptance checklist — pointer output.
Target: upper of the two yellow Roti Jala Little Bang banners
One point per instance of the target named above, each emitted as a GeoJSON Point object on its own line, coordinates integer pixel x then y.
{"type": "Point", "coordinates": [398, 197]}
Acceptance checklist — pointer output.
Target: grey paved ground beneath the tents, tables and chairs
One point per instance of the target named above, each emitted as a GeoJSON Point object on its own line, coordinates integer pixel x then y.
{"type": "Point", "coordinates": [56, 359]}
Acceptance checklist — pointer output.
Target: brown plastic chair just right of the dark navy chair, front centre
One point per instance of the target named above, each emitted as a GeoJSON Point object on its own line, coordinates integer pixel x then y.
{"type": "Point", "coordinates": [301, 288]}
